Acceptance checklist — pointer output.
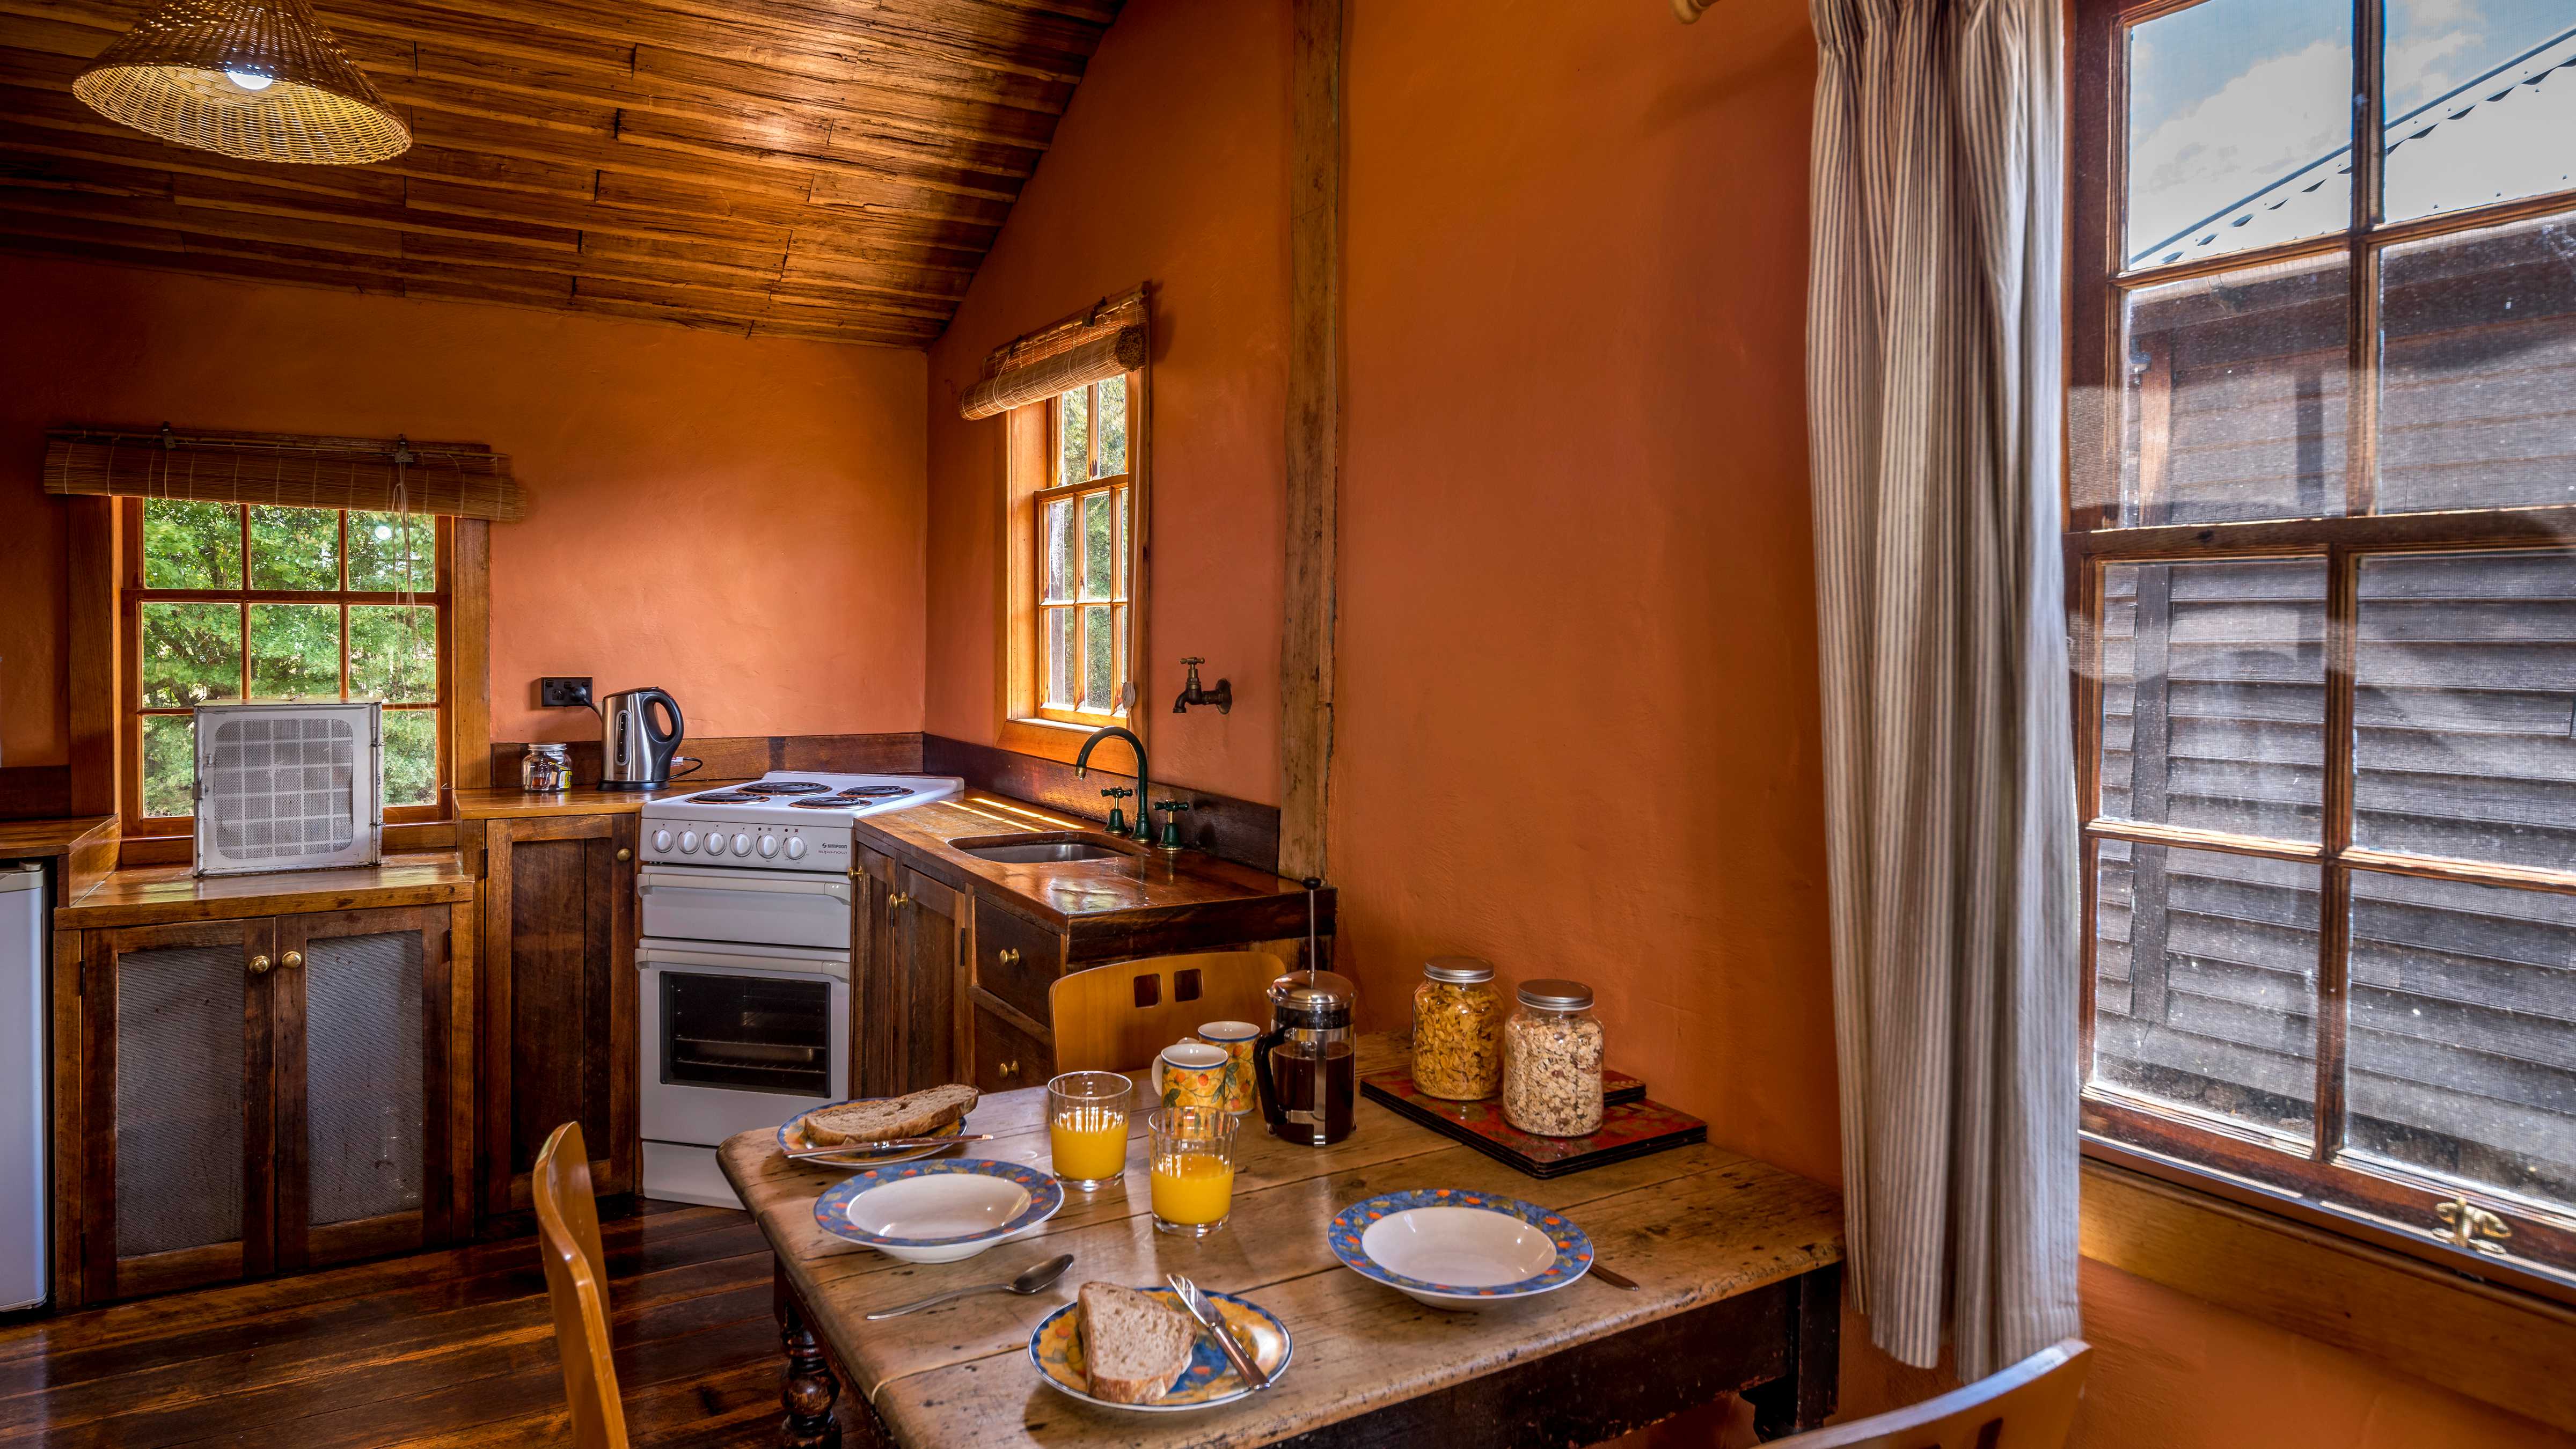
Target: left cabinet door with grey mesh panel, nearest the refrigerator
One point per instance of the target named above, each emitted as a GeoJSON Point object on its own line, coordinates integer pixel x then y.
{"type": "Point", "coordinates": [179, 1110]}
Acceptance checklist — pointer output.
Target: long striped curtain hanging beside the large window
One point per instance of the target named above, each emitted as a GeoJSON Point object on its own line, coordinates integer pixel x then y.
{"type": "Point", "coordinates": [1933, 398]}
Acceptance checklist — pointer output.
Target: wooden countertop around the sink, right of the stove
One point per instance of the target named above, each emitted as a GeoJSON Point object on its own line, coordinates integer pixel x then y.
{"type": "Point", "coordinates": [1114, 906]}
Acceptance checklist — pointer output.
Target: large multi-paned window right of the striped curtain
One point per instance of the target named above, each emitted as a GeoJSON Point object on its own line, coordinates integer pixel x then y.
{"type": "Point", "coordinates": [2322, 550]}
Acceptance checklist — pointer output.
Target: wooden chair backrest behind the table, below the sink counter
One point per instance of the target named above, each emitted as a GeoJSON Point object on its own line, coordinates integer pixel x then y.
{"type": "Point", "coordinates": [1119, 1017]}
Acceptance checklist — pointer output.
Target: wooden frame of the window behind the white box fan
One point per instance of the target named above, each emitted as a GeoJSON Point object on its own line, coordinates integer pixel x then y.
{"type": "Point", "coordinates": [107, 677]}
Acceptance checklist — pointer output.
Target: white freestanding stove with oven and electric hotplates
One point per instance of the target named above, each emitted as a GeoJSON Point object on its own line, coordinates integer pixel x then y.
{"type": "Point", "coordinates": [746, 955]}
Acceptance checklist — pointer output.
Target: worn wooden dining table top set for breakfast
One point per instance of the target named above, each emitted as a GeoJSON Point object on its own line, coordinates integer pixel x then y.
{"type": "Point", "coordinates": [1694, 1226]}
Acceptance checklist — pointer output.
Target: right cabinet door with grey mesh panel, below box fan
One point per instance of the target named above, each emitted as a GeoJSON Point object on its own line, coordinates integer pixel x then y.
{"type": "Point", "coordinates": [367, 1069]}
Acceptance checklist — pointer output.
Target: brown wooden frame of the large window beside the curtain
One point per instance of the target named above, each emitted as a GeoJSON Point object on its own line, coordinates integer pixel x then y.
{"type": "Point", "coordinates": [2309, 1182]}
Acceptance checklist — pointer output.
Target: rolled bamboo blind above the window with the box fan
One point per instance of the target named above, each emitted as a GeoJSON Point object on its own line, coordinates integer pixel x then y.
{"type": "Point", "coordinates": [465, 481]}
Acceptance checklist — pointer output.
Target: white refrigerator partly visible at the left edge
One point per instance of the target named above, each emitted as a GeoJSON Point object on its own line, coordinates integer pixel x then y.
{"type": "Point", "coordinates": [22, 1087]}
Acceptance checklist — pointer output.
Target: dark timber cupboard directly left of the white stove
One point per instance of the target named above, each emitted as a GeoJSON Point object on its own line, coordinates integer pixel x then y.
{"type": "Point", "coordinates": [558, 997]}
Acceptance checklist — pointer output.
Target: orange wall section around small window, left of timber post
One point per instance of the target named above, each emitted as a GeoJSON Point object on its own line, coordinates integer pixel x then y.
{"type": "Point", "coordinates": [1171, 169]}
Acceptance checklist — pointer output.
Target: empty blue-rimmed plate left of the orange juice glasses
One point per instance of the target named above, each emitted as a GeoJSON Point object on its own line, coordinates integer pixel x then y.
{"type": "Point", "coordinates": [939, 1213]}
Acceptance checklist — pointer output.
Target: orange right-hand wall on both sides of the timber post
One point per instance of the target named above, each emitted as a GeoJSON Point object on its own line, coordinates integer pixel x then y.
{"type": "Point", "coordinates": [1578, 679]}
